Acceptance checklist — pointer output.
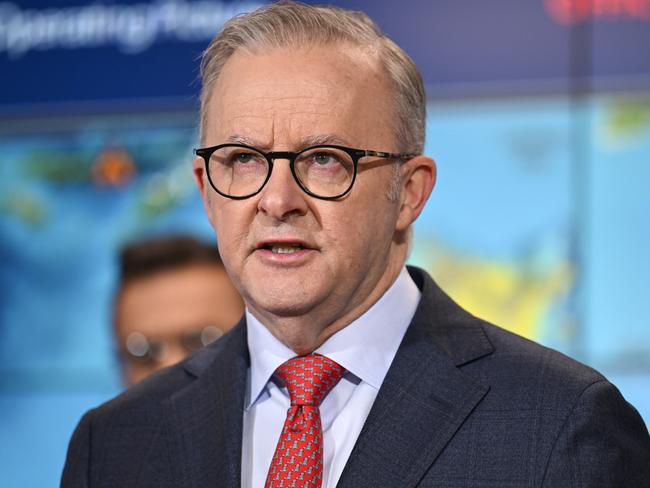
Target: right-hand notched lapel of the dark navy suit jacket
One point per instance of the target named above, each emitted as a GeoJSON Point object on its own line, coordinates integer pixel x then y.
{"type": "Point", "coordinates": [425, 397]}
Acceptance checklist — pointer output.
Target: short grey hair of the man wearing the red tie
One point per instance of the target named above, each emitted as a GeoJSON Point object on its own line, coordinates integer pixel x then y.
{"type": "Point", "coordinates": [288, 23]}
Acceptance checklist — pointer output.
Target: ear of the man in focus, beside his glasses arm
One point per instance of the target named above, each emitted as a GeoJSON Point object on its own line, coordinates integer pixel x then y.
{"type": "Point", "coordinates": [418, 180]}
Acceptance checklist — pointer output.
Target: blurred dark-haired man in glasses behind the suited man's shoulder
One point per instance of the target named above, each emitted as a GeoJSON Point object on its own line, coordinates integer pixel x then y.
{"type": "Point", "coordinates": [174, 297]}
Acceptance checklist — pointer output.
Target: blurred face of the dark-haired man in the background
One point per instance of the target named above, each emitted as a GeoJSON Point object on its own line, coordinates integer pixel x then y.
{"type": "Point", "coordinates": [163, 317]}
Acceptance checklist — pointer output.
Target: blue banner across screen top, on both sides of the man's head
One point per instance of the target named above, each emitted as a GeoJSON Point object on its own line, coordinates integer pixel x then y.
{"type": "Point", "coordinates": [62, 51]}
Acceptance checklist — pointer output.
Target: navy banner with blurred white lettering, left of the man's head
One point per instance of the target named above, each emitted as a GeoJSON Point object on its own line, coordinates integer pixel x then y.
{"type": "Point", "coordinates": [139, 51]}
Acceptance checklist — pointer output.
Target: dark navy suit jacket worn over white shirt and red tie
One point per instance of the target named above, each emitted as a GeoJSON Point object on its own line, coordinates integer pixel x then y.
{"type": "Point", "coordinates": [464, 404]}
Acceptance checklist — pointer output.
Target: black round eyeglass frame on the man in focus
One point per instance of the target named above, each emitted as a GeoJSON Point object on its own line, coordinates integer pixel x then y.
{"type": "Point", "coordinates": [355, 154]}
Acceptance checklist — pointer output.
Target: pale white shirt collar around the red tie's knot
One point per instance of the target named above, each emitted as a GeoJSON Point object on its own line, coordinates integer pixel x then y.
{"type": "Point", "coordinates": [366, 347]}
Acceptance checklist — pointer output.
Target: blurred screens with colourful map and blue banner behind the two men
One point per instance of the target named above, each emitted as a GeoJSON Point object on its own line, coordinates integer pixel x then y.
{"type": "Point", "coordinates": [539, 119]}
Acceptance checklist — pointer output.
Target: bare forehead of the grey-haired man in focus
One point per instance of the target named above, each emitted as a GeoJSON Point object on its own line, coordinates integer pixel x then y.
{"type": "Point", "coordinates": [284, 95]}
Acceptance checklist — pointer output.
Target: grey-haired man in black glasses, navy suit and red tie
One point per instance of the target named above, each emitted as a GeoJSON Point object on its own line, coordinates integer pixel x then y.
{"type": "Point", "coordinates": [347, 370]}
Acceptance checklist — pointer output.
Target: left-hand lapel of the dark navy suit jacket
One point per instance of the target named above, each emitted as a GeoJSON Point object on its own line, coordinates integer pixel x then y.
{"type": "Point", "coordinates": [204, 419]}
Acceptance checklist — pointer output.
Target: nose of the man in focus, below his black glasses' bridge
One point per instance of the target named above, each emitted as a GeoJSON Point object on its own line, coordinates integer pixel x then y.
{"type": "Point", "coordinates": [281, 197]}
